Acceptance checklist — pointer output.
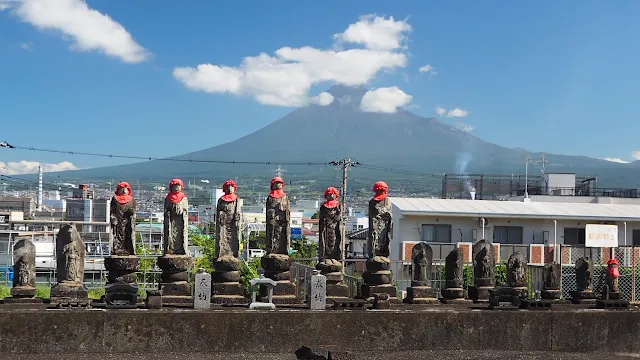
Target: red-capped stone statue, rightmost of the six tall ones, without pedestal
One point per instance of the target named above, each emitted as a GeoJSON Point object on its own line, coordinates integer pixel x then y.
{"type": "Point", "coordinates": [380, 222]}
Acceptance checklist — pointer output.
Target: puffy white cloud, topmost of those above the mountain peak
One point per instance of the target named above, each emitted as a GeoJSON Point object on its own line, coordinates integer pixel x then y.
{"type": "Point", "coordinates": [376, 33]}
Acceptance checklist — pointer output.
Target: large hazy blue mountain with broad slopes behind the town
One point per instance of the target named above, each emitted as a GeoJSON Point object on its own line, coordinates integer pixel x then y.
{"type": "Point", "coordinates": [401, 140]}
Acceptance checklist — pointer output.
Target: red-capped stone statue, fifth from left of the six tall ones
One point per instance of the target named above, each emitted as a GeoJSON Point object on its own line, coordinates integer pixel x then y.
{"type": "Point", "coordinates": [330, 227]}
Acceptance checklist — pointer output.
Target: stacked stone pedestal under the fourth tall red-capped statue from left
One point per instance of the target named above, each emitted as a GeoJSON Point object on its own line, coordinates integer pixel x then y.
{"type": "Point", "coordinates": [276, 267]}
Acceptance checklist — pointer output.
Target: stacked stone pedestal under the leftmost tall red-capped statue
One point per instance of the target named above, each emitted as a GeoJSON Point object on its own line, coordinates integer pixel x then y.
{"type": "Point", "coordinates": [121, 290]}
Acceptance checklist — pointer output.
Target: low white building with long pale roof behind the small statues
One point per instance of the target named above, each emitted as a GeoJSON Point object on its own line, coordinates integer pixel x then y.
{"type": "Point", "coordinates": [532, 226]}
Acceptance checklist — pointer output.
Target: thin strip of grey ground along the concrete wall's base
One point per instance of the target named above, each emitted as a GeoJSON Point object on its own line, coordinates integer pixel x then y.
{"type": "Point", "coordinates": [407, 355]}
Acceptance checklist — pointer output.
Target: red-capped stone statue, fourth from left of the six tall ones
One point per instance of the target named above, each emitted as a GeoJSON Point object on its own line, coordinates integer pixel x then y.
{"type": "Point", "coordinates": [278, 219]}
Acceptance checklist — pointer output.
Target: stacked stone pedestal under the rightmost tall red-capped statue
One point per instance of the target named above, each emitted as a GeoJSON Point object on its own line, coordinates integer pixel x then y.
{"type": "Point", "coordinates": [377, 279]}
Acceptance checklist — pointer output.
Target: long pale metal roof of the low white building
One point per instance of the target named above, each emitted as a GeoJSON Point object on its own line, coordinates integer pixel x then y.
{"type": "Point", "coordinates": [516, 209]}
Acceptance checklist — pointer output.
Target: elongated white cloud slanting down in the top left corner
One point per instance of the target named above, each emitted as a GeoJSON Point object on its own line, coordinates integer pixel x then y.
{"type": "Point", "coordinates": [88, 29]}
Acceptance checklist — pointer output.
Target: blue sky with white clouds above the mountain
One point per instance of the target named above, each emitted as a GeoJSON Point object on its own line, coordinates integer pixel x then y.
{"type": "Point", "coordinates": [558, 77]}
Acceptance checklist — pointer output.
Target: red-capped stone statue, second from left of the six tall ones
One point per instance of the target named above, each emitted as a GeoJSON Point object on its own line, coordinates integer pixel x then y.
{"type": "Point", "coordinates": [176, 220]}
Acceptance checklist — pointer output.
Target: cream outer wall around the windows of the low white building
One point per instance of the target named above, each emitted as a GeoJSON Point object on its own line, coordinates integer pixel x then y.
{"type": "Point", "coordinates": [408, 228]}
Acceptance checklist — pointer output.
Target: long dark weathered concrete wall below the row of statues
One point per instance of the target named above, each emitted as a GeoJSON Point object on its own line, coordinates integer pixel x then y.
{"type": "Point", "coordinates": [100, 332]}
